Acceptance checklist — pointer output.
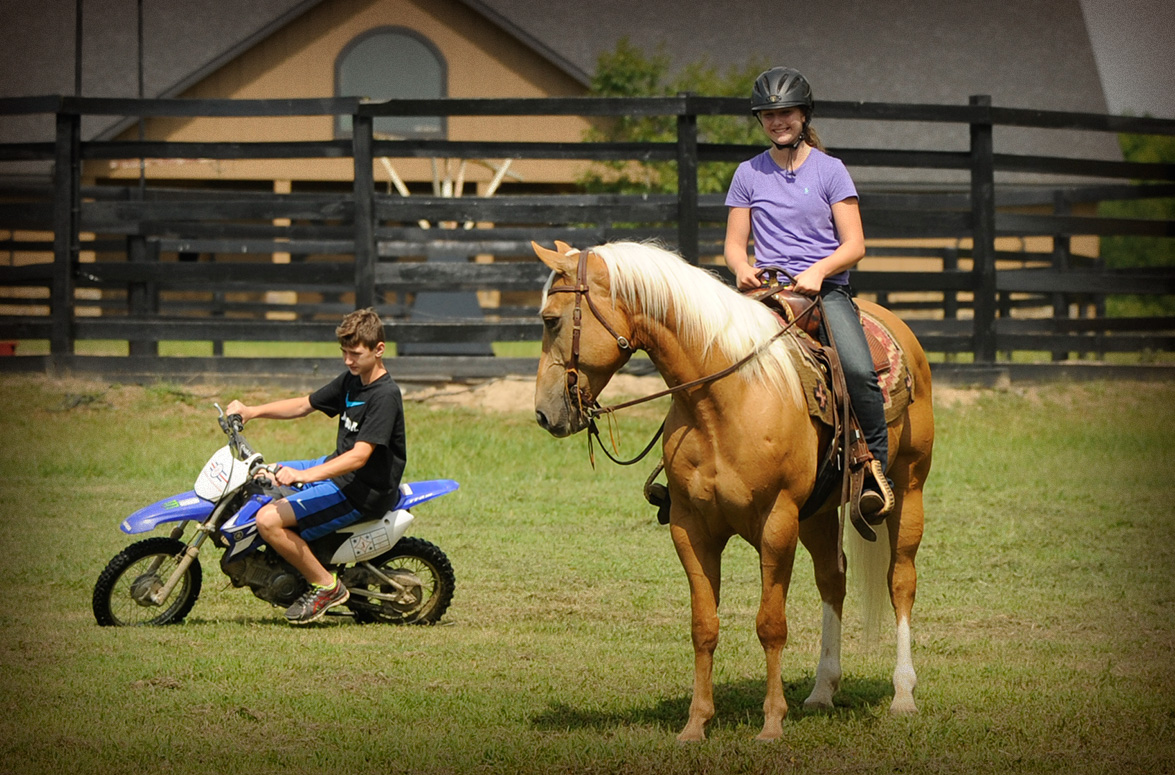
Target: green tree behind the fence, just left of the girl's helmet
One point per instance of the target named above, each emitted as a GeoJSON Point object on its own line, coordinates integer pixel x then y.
{"type": "Point", "coordinates": [630, 72]}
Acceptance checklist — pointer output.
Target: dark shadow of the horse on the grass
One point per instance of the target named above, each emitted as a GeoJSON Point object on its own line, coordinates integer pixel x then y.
{"type": "Point", "coordinates": [737, 704]}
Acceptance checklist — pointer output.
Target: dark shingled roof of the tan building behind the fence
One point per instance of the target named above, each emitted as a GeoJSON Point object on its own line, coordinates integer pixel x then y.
{"type": "Point", "coordinates": [1031, 53]}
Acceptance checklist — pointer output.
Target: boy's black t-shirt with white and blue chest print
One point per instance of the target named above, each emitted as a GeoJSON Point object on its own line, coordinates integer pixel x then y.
{"type": "Point", "coordinates": [372, 414]}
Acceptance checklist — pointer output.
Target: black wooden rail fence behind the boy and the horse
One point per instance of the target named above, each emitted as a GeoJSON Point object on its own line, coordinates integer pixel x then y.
{"type": "Point", "coordinates": [362, 248]}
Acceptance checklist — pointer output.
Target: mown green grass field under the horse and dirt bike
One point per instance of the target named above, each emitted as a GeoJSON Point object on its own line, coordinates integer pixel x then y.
{"type": "Point", "coordinates": [1044, 630]}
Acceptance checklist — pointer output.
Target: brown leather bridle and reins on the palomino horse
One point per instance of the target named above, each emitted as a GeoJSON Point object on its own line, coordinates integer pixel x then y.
{"type": "Point", "coordinates": [588, 403]}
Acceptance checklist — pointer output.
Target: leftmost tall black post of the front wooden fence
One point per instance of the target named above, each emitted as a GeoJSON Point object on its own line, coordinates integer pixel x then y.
{"type": "Point", "coordinates": [66, 215]}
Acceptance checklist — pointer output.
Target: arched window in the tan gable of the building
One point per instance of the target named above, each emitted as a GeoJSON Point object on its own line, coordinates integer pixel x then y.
{"type": "Point", "coordinates": [393, 63]}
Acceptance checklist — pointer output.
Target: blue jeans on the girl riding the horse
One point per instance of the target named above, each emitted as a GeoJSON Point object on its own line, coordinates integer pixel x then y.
{"type": "Point", "coordinates": [841, 315]}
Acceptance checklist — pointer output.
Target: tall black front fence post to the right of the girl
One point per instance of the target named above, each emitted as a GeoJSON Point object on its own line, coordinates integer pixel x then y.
{"type": "Point", "coordinates": [983, 212]}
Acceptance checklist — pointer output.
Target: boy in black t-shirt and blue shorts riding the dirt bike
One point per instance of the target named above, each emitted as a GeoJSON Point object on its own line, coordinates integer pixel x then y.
{"type": "Point", "coordinates": [359, 480]}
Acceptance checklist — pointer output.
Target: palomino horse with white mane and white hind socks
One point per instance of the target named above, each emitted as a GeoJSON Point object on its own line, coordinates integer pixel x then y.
{"type": "Point", "coordinates": [741, 453]}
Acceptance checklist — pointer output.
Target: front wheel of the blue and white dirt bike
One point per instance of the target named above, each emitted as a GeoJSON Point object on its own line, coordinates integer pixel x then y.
{"type": "Point", "coordinates": [124, 590]}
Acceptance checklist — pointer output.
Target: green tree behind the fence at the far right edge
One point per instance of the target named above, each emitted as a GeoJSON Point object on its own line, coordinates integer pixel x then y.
{"type": "Point", "coordinates": [1126, 252]}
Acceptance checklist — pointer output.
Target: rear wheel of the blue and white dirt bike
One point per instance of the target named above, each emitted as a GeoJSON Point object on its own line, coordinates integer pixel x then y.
{"type": "Point", "coordinates": [411, 585]}
